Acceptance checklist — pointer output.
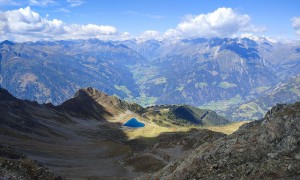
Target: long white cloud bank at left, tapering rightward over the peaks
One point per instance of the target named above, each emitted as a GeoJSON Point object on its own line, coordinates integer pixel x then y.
{"type": "Point", "coordinates": [26, 25]}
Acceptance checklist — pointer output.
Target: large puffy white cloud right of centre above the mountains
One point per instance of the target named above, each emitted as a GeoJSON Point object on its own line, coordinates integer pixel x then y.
{"type": "Point", "coordinates": [223, 22]}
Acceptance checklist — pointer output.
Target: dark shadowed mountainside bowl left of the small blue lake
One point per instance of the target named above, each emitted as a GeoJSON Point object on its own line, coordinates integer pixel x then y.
{"type": "Point", "coordinates": [69, 142]}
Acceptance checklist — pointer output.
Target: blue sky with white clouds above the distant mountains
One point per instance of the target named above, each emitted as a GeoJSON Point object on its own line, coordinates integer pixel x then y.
{"type": "Point", "coordinates": [34, 20]}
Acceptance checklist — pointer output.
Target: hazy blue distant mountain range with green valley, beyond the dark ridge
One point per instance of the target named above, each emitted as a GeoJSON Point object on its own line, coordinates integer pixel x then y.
{"type": "Point", "coordinates": [215, 73]}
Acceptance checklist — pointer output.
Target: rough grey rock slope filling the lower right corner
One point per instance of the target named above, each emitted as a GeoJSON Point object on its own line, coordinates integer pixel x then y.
{"type": "Point", "coordinates": [264, 149]}
